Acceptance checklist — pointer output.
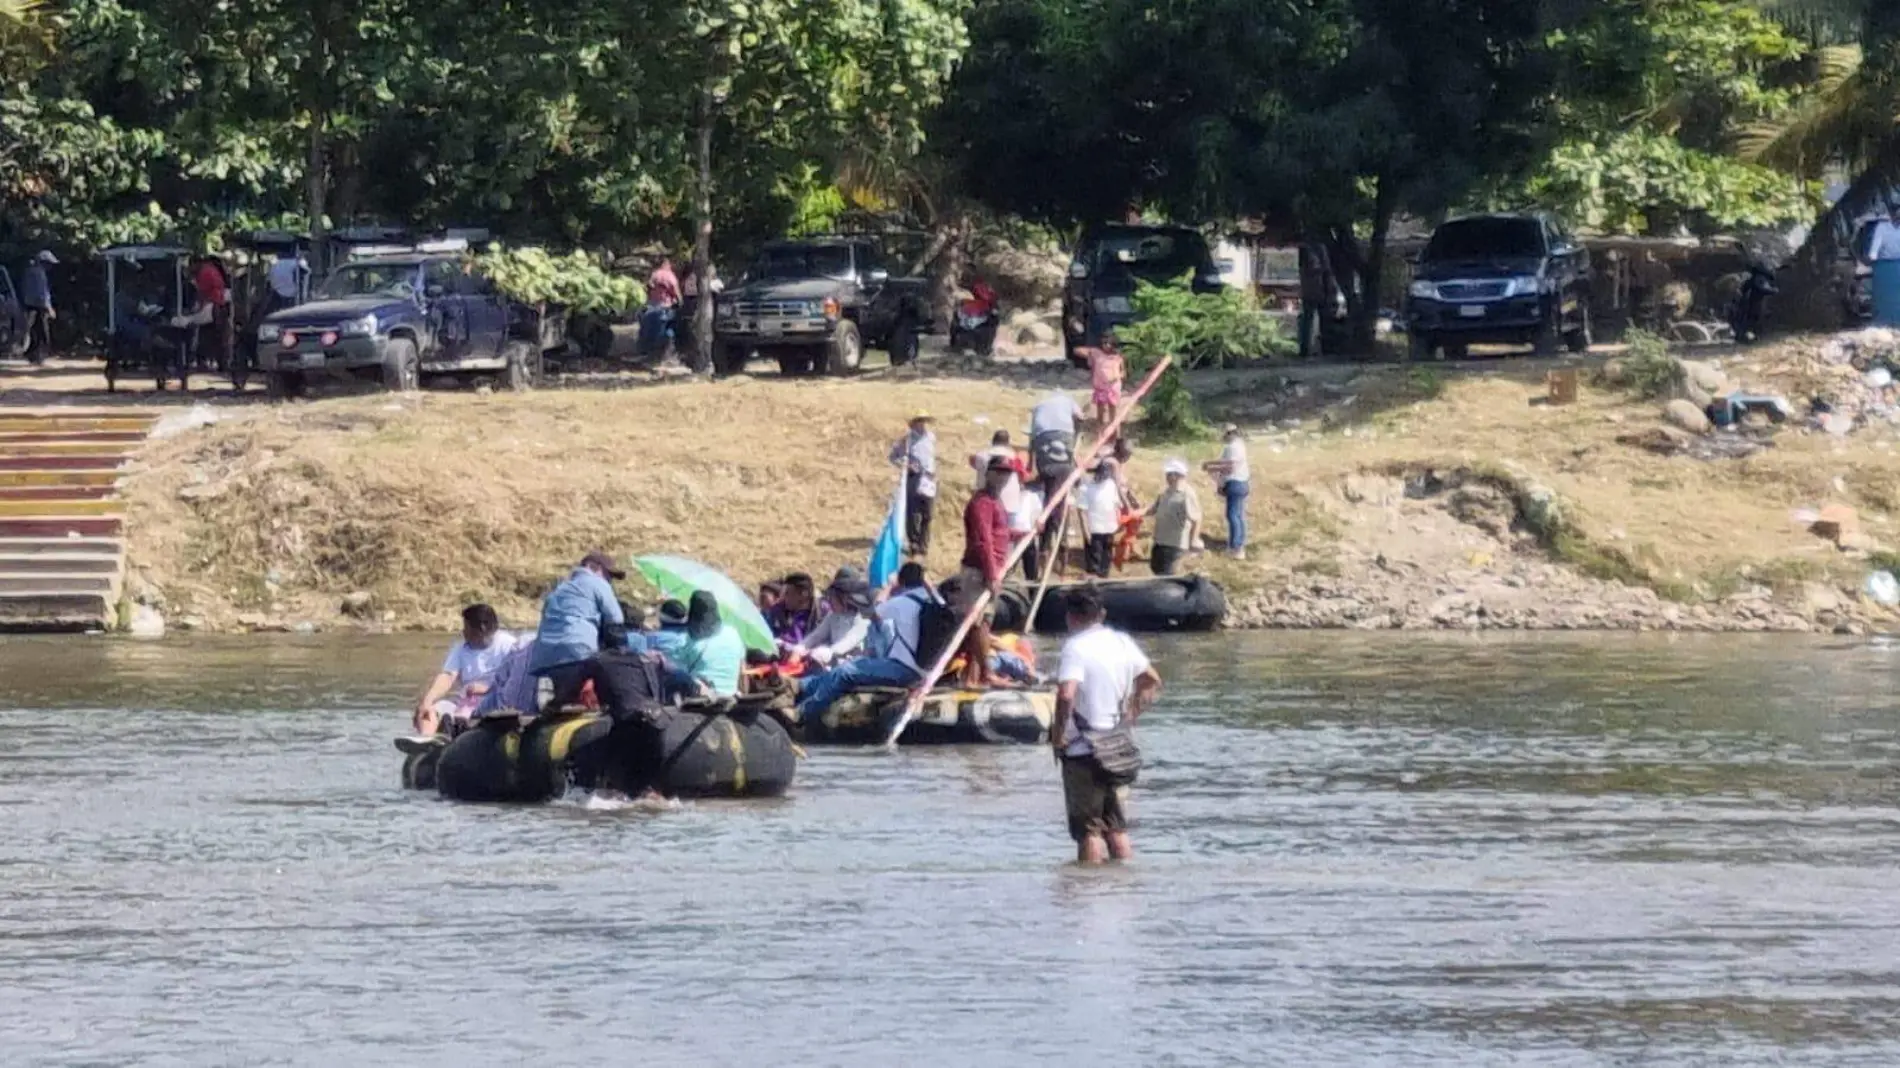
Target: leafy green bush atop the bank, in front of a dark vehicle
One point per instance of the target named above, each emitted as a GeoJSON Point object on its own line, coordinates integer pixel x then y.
{"type": "Point", "coordinates": [1198, 330]}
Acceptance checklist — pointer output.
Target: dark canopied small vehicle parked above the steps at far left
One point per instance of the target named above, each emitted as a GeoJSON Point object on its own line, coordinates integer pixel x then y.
{"type": "Point", "coordinates": [145, 294]}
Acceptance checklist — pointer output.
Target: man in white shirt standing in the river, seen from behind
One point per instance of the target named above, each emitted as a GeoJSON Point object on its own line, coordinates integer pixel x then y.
{"type": "Point", "coordinates": [1103, 681]}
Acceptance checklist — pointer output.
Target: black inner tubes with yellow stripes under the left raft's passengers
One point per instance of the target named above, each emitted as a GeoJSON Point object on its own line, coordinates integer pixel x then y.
{"type": "Point", "coordinates": [708, 755]}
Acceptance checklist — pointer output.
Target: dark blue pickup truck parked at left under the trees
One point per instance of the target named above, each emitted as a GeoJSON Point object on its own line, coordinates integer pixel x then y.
{"type": "Point", "coordinates": [400, 316]}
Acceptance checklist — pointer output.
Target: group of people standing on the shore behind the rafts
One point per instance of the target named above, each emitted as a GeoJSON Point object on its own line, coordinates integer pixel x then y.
{"type": "Point", "coordinates": [1105, 506]}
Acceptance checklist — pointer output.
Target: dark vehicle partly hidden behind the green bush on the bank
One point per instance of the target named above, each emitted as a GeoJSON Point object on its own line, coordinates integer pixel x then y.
{"type": "Point", "coordinates": [1112, 261]}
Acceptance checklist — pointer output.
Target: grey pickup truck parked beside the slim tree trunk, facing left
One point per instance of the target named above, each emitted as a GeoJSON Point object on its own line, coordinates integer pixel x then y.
{"type": "Point", "coordinates": [814, 305]}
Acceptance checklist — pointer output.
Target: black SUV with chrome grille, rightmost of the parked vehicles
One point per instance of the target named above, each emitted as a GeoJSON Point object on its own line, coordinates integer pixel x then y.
{"type": "Point", "coordinates": [1500, 280]}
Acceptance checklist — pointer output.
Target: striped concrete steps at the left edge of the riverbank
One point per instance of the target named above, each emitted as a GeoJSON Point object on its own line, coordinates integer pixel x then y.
{"type": "Point", "coordinates": [62, 522]}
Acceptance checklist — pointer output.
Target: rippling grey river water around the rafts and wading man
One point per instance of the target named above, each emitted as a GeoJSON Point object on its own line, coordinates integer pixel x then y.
{"type": "Point", "coordinates": [1354, 850]}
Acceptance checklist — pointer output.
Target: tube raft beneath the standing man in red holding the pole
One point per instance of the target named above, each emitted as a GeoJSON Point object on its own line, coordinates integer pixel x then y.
{"type": "Point", "coordinates": [949, 717]}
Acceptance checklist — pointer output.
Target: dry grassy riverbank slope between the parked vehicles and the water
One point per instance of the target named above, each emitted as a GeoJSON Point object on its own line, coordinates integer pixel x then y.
{"type": "Point", "coordinates": [1536, 516]}
